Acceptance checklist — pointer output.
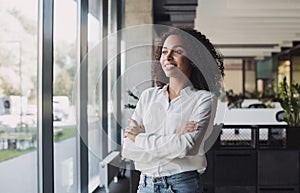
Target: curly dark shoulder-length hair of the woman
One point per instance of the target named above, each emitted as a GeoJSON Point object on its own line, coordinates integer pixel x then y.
{"type": "Point", "coordinates": [214, 73]}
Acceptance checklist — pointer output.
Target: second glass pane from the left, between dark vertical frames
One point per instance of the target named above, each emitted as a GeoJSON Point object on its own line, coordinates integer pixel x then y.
{"type": "Point", "coordinates": [65, 54]}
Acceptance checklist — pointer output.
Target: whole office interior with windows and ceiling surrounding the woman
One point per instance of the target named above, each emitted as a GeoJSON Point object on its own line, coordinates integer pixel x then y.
{"type": "Point", "coordinates": [69, 69]}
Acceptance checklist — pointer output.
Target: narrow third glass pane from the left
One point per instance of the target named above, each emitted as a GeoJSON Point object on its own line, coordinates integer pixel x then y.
{"type": "Point", "coordinates": [94, 58]}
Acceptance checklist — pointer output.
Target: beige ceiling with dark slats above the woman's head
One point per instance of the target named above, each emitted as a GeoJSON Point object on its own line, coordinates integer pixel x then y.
{"type": "Point", "coordinates": [239, 28]}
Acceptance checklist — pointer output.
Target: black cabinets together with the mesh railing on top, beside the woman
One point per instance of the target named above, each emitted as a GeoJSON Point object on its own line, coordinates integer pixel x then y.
{"type": "Point", "coordinates": [265, 164]}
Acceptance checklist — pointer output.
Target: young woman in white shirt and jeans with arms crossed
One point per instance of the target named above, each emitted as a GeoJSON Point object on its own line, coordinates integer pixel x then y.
{"type": "Point", "coordinates": [171, 122]}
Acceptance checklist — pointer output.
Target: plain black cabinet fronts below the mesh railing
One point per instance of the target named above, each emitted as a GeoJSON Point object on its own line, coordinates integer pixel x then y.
{"type": "Point", "coordinates": [252, 171]}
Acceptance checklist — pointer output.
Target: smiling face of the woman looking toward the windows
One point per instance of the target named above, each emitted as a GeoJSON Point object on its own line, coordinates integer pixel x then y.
{"type": "Point", "coordinates": [174, 59]}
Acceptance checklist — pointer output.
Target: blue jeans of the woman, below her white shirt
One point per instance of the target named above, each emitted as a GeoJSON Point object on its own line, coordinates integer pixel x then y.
{"type": "Point", "coordinates": [185, 182]}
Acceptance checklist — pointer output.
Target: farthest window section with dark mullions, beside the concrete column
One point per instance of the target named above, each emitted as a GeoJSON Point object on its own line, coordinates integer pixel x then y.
{"type": "Point", "coordinates": [102, 64]}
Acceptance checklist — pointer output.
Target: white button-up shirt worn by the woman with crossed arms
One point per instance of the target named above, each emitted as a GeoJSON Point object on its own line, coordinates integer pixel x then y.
{"type": "Point", "coordinates": [160, 151]}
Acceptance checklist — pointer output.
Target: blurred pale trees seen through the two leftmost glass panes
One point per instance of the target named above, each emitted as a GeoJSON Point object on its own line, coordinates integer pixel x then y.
{"type": "Point", "coordinates": [18, 65]}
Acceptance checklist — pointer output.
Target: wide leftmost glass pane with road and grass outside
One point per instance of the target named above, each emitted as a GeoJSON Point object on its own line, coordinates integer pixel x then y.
{"type": "Point", "coordinates": [18, 96]}
